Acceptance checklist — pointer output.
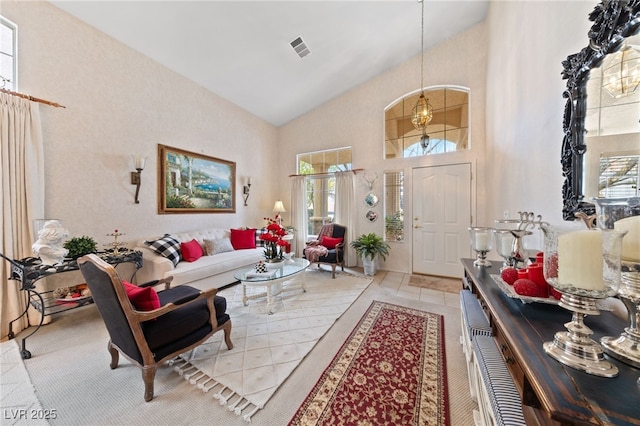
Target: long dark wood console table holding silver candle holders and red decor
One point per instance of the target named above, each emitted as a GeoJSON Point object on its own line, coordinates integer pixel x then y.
{"type": "Point", "coordinates": [551, 392]}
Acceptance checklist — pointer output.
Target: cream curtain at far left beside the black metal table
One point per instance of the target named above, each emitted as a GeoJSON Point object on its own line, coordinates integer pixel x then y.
{"type": "Point", "coordinates": [22, 182]}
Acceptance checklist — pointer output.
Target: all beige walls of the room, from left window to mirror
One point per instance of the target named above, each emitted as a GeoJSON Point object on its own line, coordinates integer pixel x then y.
{"type": "Point", "coordinates": [120, 102]}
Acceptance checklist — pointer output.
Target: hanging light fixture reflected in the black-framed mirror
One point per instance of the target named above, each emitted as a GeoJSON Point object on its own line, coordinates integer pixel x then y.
{"type": "Point", "coordinates": [621, 73]}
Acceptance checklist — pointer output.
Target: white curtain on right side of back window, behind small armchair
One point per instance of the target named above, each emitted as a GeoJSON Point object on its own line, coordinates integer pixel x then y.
{"type": "Point", "coordinates": [345, 212]}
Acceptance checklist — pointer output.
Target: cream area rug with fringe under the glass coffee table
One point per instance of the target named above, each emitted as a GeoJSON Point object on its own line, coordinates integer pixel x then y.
{"type": "Point", "coordinates": [267, 348]}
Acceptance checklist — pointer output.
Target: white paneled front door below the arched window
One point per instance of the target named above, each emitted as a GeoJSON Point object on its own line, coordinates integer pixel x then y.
{"type": "Point", "coordinates": [441, 218]}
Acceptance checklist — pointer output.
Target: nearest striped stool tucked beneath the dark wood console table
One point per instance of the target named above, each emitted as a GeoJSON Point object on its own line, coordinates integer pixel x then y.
{"type": "Point", "coordinates": [498, 398]}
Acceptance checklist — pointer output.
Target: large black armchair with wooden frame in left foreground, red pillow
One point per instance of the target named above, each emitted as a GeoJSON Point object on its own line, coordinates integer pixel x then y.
{"type": "Point", "coordinates": [150, 327]}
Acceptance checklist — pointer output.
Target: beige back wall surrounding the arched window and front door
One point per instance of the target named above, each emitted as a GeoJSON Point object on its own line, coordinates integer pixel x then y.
{"type": "Point", "coordinates": [356, 119]}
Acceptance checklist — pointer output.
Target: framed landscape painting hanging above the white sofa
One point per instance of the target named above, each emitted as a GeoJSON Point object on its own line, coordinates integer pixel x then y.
{"type": "Point", "coordinates": [194, 183]}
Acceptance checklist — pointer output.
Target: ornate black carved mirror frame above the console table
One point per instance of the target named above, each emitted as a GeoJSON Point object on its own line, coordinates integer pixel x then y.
{"type": "Point", "coordinates": [613, 21]}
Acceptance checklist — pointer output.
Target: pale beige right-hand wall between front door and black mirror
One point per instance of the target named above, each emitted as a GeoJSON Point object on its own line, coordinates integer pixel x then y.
{"type": "Point", "coordinates": [528, 41]}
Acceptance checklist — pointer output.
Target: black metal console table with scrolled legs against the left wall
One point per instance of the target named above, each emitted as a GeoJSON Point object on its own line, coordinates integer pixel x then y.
{"type": "Point", "coordinates": [29, 270]}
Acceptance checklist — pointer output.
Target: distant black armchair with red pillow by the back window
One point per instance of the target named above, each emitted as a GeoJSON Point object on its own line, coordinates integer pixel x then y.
{"type": "Point", "coordinates": [328, 248]}
